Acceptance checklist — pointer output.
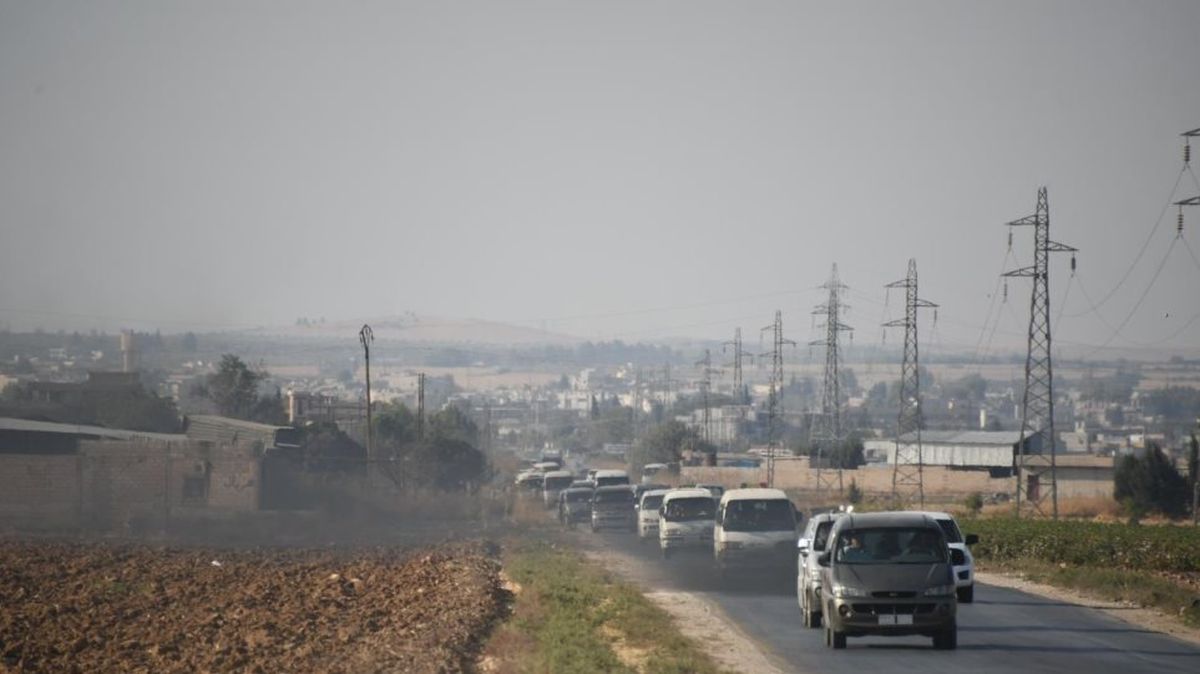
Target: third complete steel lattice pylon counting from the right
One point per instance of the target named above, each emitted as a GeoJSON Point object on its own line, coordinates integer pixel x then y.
{"type": "Point", "coordinates": [827, 434]}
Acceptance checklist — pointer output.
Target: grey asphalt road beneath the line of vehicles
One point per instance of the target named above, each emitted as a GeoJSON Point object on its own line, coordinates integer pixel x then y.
{"type": "Point", "coordinates": [1003, 631]}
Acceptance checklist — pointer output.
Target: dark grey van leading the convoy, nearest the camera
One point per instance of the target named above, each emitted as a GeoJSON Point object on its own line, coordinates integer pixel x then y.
{"type": "Point", "coordinates": [889, 574]}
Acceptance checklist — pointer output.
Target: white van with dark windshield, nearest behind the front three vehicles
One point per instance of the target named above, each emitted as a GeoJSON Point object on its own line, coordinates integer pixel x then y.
{"type": "Point", "coordinates": [755, 529]}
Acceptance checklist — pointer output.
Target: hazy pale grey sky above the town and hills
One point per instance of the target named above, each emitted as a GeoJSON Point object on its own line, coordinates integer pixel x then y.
{"type": "Point", "coordinates": [574, 165]}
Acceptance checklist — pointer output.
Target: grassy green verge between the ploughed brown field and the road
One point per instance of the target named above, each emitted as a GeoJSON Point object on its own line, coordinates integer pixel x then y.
{"type": "Point", "coordinates": [572, 617]}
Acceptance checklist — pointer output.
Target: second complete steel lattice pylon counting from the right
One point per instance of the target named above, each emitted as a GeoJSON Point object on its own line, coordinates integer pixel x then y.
{"type": "Point", "coordinates": [908, 470]}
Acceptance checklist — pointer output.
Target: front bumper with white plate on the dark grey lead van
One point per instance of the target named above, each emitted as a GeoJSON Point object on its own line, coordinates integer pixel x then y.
{"type": "Point", "coordinates": [895, 617]}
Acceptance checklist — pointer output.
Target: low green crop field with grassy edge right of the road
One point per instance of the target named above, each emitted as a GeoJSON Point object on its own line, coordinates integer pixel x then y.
{"type": "Point", "coordinates": [1108, 562]}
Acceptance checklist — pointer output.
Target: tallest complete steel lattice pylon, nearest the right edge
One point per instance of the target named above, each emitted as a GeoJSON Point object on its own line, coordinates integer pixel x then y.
{"type": "Point", "coordinates": [1036, 482]}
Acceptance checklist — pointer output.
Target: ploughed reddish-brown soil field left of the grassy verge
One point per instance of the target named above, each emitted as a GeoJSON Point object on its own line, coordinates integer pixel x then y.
{"type": "Point", "coordinates": [71, 607]}
